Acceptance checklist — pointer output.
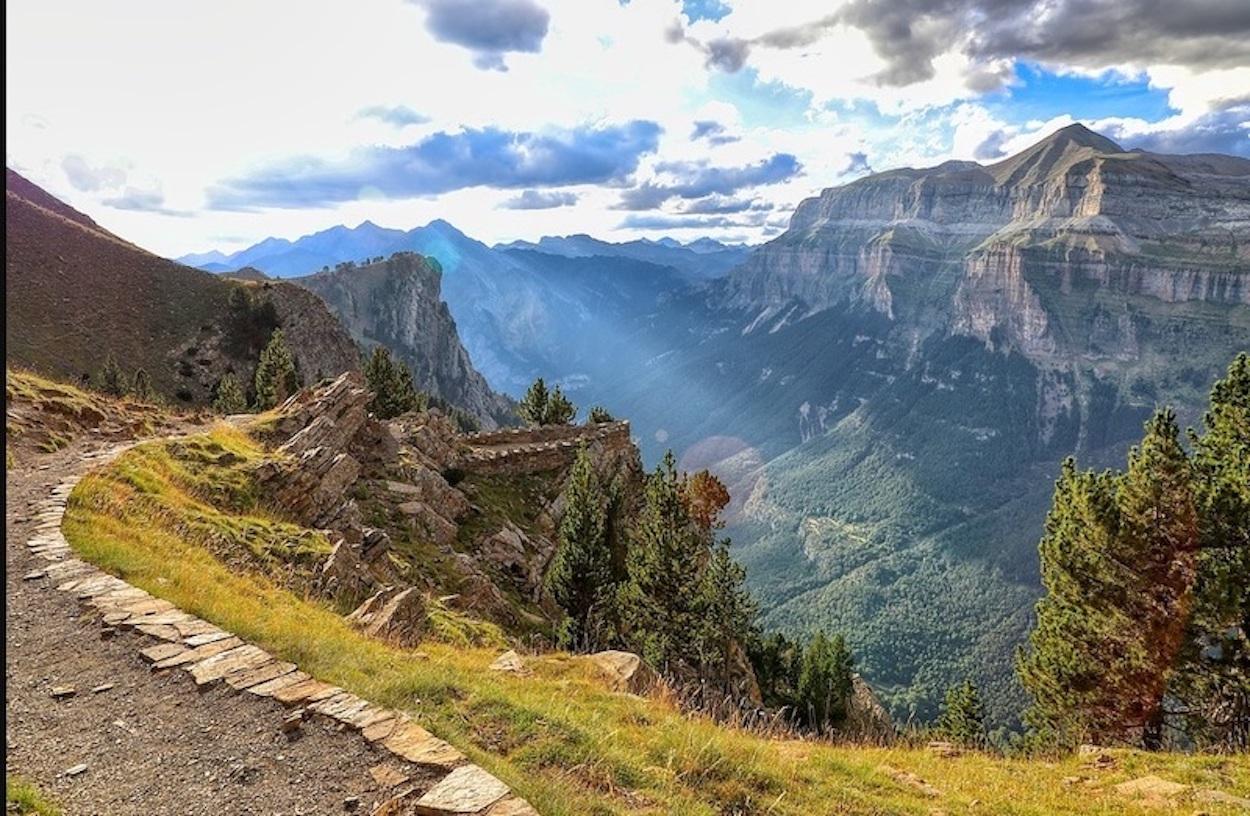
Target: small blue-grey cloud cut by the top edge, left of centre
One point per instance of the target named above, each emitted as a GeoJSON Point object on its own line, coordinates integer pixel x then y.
{"type": "Point", "coordinates": [488, 28]}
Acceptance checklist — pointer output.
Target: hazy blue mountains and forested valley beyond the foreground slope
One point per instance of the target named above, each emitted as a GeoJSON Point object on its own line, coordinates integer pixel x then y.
{"type": "Point", "coordinates": [888, 388]}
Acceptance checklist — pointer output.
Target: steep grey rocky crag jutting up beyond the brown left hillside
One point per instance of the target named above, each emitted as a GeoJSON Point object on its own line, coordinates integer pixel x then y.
{"type": "Point", "coordinates": [398, 303]}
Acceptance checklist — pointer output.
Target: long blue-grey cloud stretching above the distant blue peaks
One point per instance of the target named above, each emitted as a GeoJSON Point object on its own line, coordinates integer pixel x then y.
{"type": "Point", "coordinates": [446, 162]}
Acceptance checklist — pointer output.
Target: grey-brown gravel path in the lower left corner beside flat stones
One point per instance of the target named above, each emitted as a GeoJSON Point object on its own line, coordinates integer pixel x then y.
{"type": "Point", "coordinates": [152, 743]}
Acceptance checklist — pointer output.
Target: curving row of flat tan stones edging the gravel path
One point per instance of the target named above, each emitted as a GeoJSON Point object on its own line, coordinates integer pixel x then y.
{"type": "Point", "coordinates": [212, 655]}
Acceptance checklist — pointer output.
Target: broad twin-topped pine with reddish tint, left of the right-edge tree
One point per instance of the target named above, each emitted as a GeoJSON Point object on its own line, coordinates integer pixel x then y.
{"type": "Point", "coordinates": [1118, 564]}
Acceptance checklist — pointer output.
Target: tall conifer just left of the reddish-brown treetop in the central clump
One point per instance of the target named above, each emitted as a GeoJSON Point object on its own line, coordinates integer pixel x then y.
{"type": "Point", "coordinates": [661, 597]}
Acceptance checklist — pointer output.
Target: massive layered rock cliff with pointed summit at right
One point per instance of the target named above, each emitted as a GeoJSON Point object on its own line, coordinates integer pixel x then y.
{"type": "Point", "coordinates": [1012, 252]}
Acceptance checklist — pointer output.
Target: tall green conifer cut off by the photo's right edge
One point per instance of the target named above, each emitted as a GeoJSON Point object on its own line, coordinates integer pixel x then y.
{"type": "Point", "coordinates": [1213, 684]}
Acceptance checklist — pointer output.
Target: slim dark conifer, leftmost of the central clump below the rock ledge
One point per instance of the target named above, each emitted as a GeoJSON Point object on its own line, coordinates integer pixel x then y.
{"type": "Point", "coordinates": [581, 577]}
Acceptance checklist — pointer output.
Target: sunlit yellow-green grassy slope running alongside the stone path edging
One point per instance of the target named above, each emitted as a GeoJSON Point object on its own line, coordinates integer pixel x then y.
{"type": "Point", "coordinates": [559, 738]}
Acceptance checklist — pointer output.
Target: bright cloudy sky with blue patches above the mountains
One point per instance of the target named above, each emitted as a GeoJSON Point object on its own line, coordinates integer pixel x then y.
{"type": "Point", "coordinates": [187, 127]}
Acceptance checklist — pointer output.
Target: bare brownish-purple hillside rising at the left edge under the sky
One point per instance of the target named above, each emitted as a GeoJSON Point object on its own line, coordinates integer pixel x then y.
{"type": "Point", "coordinates": [77, 294]}
